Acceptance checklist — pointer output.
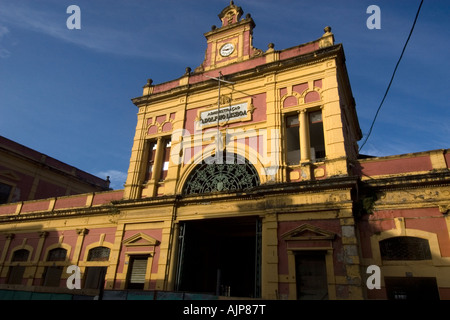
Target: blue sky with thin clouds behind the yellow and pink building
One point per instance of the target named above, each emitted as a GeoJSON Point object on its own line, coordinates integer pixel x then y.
{"type": "Point", "coordinates": [67, 93]}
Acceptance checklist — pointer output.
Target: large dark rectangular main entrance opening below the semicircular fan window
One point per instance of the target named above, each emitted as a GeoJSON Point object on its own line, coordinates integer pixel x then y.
{"type": "Point", "coordinates": [220, 256]}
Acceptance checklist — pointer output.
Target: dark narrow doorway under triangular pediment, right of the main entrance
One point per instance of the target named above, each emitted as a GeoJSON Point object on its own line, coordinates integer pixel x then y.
{"type": "Point", "coordinates": [311, 276]}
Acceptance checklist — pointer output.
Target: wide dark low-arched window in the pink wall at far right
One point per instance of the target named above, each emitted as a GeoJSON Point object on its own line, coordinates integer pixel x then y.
{"type": "Point", "coordinates": [405, 248]}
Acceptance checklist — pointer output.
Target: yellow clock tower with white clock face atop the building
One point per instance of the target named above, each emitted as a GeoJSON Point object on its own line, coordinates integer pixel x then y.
{"type": "Point", "coordinates": [230, 43]}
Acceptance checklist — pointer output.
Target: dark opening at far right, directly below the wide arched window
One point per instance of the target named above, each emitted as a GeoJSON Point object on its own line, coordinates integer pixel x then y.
{"type": "Point", "coordinates": [411, 288]}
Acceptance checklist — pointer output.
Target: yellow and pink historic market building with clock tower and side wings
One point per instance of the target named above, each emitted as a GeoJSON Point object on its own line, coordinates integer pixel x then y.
{"type": "Point", "coordinates": [245, 181]}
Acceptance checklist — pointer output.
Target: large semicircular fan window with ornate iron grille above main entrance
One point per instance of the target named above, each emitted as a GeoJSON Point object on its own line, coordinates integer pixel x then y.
{"type": "Point", "coordinates": [233, 173]}
